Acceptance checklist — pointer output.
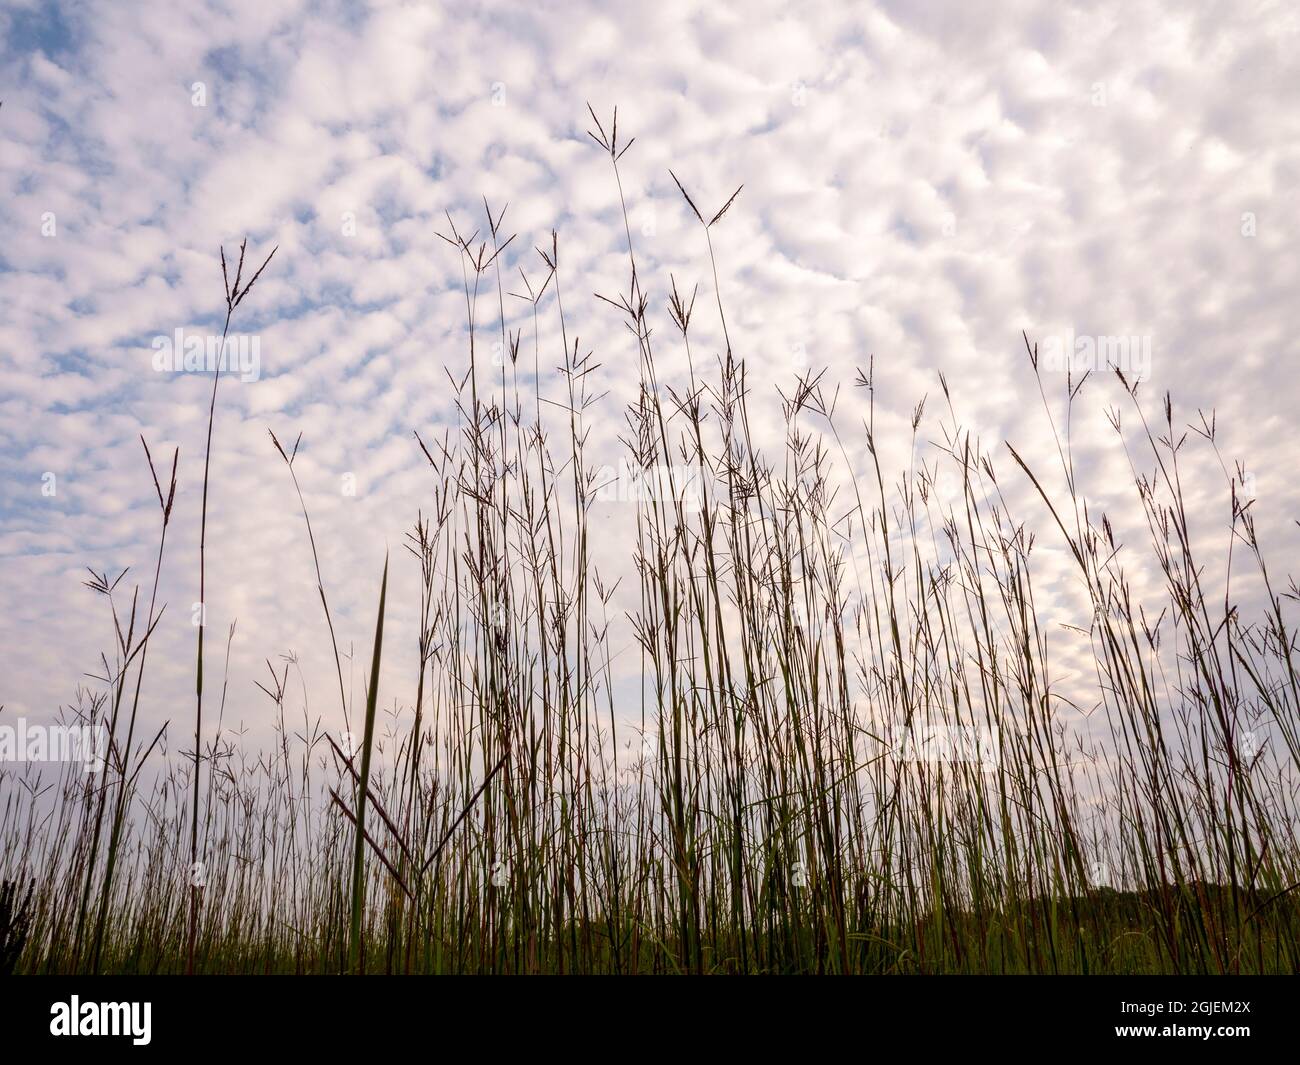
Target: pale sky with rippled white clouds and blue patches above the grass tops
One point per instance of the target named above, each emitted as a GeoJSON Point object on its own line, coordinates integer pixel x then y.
{"type": "Point", "coordinates": [922, 183]}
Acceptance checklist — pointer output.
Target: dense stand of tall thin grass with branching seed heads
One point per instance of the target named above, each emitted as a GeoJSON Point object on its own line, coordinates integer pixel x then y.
{"type": "Point", "coordinates": [846, 748]}
